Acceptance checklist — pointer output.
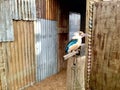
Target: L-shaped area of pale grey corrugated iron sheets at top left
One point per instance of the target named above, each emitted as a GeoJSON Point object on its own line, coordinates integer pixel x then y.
{"type": "Point", "coordinates": [17, 10]}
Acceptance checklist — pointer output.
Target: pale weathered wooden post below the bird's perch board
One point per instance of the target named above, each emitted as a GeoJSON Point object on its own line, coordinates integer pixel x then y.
{"type": "Point", "coordinates": [80, 79]}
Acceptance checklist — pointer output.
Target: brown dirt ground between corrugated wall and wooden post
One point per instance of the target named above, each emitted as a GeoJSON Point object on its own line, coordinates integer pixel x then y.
{"type": "Point", "coordinates": [55, 82]}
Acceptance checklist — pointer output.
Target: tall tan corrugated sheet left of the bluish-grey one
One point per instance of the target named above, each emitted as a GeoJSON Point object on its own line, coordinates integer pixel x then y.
{"type": "Point", "coordinates": [21, 63]}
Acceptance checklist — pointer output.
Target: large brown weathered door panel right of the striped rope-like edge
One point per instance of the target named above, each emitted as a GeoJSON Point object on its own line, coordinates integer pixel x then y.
{"type": "Point", "coordinates": [105, 73]}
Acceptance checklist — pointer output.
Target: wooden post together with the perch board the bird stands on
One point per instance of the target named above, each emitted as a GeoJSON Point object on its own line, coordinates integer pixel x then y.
{"type": "Point", "coordinates": [75, 70]}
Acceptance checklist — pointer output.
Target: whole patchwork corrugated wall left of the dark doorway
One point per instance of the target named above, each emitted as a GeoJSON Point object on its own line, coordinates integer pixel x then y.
{"type": "Point", "coordinates": [25, 61]}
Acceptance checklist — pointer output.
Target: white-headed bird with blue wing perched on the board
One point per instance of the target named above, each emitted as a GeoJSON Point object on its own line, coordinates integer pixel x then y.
{"type": "Point", "coordinates": [75, 42]}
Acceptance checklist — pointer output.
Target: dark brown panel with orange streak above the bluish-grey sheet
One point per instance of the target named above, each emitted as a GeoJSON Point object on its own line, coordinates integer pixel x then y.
{"type": "Point", "coordinates": [47, 9]}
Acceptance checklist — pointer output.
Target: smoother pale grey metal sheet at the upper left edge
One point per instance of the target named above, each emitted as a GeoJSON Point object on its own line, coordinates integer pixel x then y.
{"type": "Point", "coordinates": [6, 25]}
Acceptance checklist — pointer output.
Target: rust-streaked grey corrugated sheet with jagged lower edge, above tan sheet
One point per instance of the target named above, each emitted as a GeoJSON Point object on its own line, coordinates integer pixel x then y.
{"type": "Point", "coordinates": [23, 9]}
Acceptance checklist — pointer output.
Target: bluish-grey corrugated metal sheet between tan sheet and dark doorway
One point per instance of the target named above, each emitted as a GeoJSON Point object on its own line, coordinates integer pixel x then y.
{"type": "Point", "coordinates": [46, 49]}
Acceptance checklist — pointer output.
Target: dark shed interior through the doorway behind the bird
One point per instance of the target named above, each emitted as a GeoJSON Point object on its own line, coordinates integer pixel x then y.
{"type": "Point", "coordinates": [65, 8]}
